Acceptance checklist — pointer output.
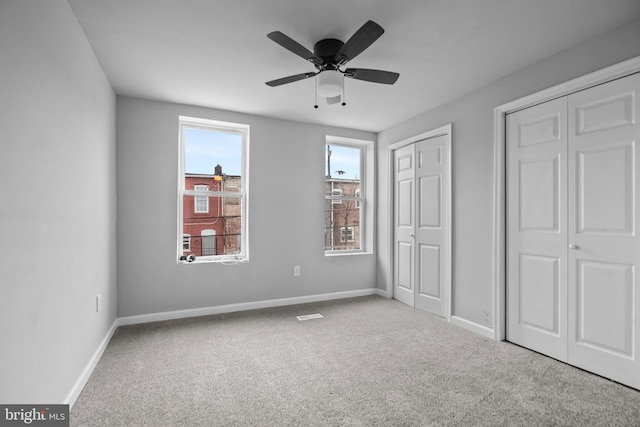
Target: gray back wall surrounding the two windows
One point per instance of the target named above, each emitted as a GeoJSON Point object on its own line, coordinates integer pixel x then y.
{"type": "Point", "coordinates": [286, 215]}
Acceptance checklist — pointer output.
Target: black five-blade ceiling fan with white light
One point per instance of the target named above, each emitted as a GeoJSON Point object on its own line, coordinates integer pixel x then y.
{"type": "Point", "coordinates": [329, 56]}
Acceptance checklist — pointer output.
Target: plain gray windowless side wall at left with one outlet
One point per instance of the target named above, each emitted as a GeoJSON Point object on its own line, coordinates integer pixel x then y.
{"type": "Point", "coordinates": [57, 201]}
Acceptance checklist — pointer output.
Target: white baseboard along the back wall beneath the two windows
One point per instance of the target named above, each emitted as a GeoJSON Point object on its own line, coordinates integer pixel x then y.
{"type": "Point", "coordinates": [231, 308]}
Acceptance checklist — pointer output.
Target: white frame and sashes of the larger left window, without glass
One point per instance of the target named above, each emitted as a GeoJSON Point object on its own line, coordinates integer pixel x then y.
{"type": "Point", "coordinates": [243, 130]}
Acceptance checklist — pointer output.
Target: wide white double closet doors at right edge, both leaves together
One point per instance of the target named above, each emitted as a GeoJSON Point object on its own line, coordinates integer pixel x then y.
{"type": "Point", "coordinates": [573, 248]}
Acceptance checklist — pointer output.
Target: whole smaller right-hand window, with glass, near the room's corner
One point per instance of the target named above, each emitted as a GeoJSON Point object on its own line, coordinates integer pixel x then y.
{"type": "Point", "coordinates": [346, 196]}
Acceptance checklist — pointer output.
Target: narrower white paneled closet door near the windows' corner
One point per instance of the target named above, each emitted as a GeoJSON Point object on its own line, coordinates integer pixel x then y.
{"type": "Point", "coordinates": [421, 224]}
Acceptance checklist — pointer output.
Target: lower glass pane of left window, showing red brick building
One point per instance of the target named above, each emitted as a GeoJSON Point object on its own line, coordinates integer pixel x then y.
{"type": "Point", "coordinates": [218, 232]}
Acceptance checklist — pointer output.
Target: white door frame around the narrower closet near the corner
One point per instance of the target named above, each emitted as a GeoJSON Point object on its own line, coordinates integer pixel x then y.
{"type": "Point", "coordinates": [445, 130]}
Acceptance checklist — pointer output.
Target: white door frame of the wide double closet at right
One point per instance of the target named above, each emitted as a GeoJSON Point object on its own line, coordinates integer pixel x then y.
{"type": "Point", "coordinates": [604, 75]}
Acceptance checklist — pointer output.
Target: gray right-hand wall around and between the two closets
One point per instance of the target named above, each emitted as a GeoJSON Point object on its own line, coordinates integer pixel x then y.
{"type": "Point", "coordinates": [473, 158]}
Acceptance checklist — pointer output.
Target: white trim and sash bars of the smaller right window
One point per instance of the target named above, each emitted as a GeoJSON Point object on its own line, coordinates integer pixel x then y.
{"type": "Point", "coordinates": [366, 200]}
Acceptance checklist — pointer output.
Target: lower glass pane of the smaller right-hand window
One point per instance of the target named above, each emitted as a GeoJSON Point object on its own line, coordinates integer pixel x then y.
{"type": "Point", "coordinates": [342, 225]}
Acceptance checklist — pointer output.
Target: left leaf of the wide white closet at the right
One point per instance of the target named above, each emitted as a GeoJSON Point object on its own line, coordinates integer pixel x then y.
{"type": "Point", "coordinates": [537, 231]}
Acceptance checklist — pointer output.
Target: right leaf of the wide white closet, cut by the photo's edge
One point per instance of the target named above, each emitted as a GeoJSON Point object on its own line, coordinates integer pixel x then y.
{"type": "Point", "coordinates": [604, 292]}
